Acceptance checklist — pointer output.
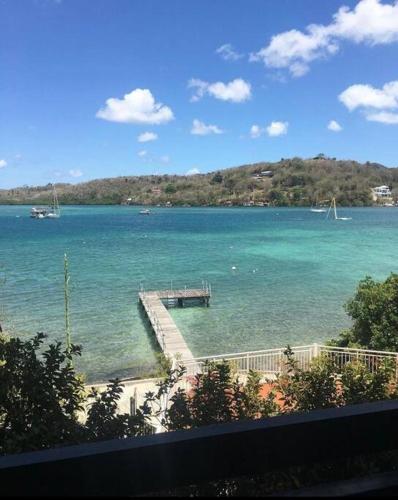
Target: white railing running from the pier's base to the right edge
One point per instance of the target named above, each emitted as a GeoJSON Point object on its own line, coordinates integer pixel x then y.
{"type": "Point", "coordinates": [273, 361]}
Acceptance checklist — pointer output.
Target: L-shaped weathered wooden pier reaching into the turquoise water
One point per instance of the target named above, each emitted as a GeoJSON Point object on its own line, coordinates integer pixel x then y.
{"type": "Point", "coordinates": [168, 335]}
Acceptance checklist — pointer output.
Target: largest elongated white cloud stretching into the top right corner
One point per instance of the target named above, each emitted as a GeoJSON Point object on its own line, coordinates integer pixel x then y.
{"type": "Point", "coordinates": [371, 22]}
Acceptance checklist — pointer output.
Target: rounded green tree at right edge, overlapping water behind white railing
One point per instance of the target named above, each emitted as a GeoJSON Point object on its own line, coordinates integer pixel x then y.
{"type": "Point", "coordinates": [374, 311]}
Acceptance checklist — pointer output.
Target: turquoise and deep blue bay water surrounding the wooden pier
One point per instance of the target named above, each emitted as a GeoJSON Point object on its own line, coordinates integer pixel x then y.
{"type": "Point", "coordinates": [294, 271]}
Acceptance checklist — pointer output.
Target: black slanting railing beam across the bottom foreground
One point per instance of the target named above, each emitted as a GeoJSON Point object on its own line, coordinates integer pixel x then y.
{"type": "Point", "coordinates": [147, 464]}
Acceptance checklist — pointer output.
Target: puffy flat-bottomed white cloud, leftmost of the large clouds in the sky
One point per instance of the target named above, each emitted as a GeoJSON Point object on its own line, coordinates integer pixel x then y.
{"type": "Point", "coordinates": [138, 106]}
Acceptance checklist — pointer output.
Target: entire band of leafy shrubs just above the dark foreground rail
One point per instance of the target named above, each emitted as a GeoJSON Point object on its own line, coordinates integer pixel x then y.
{"type": "Point", "coordinates": [43, 400]}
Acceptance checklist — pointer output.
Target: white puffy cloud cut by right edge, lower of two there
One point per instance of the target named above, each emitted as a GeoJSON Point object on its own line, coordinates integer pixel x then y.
{"type": "Point", "coordinates": [366, 96]}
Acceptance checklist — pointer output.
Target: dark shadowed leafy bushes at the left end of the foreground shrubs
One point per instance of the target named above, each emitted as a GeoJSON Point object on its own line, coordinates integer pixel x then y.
{"type": "Point", "coordinates": [41, 398]}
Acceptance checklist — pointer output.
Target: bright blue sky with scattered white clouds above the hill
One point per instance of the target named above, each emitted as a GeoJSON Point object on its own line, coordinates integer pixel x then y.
{"type": "Point", "coordinates": [104, 88]}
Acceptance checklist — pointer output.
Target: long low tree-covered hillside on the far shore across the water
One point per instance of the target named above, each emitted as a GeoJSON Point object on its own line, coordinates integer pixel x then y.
{"type": "Point", "coordinates": [289, 182]}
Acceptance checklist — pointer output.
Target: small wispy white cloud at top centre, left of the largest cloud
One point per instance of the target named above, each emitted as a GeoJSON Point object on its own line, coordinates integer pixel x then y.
{"type": "Point", "coordinates": [237, 90]}
